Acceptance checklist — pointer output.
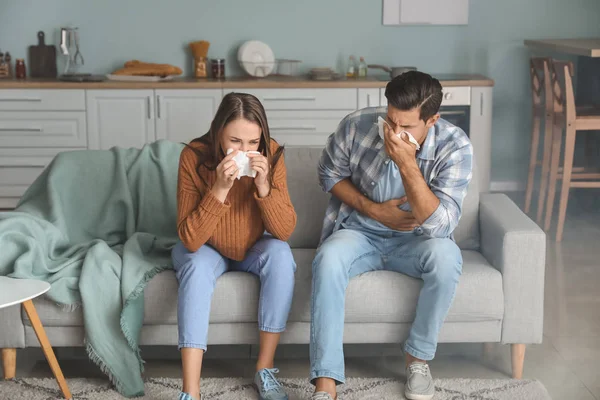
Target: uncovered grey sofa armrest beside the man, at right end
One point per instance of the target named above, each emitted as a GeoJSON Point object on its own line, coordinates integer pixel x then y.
{"type": "Point", "coordinates": [516, 247]}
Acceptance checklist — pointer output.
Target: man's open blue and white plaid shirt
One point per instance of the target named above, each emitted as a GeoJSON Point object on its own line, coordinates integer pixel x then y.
{"type": "Point", "coordinates": [357, 152]}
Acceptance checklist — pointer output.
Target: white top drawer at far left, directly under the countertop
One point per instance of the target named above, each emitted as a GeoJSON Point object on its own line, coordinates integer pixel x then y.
{"type": "Point", "coordinates": [42, 100]}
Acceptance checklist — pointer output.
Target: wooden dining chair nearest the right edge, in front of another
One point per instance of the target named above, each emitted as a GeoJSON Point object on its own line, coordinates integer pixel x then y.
{"type": "Point", "coordinates": [572, 120]}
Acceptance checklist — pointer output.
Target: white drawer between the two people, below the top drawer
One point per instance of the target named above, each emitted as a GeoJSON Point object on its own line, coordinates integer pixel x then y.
{"type": "Point", "coordinates": [303, 128]}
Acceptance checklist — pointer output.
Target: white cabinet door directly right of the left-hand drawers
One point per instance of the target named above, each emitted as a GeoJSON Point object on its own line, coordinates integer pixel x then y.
{"type": "Point", "coordinates": [123, 118]}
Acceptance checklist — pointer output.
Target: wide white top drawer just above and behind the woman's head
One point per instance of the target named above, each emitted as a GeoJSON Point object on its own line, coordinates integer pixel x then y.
{"type": "Point", "coordinates": [305, 99]}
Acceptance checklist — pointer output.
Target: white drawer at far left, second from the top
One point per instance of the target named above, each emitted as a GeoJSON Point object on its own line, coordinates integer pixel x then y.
{"type": "Point", "coordinates": [43, 129]}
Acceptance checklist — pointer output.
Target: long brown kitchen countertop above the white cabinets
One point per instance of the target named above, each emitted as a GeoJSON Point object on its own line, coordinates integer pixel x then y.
{"type": "Point", "coordinates": [239, 82]}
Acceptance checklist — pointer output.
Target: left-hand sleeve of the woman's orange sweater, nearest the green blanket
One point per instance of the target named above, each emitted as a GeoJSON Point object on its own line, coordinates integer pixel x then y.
{"type": "Point", "coordinates": [197, 214]}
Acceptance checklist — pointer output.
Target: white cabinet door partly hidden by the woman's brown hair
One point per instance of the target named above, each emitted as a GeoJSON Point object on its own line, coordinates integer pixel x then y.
{"type": "Point", "coordinates": [182, 115]}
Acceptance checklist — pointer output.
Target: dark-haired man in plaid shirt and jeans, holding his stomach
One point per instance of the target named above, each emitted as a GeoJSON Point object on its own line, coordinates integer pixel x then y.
{"type": "Point", "coordinates": [395, 203]}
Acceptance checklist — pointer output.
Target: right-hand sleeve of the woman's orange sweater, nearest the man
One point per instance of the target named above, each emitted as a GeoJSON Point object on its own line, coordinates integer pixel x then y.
{"type": "Point", "coordinates": [276, 208]}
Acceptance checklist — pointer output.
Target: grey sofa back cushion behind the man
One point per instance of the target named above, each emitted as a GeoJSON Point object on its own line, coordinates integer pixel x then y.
{"type": "Point", "coordinates": [310, 201]}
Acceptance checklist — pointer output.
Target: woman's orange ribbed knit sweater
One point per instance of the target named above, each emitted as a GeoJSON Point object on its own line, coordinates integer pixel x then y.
{"type": "Point", "coordinates": [233, 227]}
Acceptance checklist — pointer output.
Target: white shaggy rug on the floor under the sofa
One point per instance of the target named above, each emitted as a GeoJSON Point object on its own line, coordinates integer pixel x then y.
{"type": "Point", "coordinates": [240, 389]}
